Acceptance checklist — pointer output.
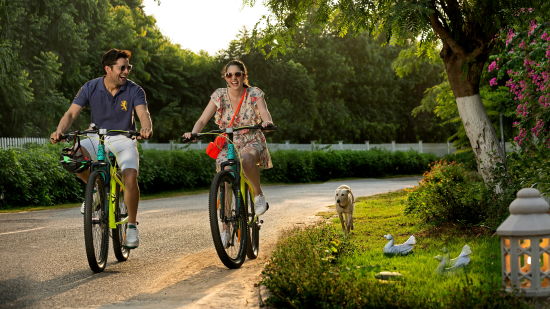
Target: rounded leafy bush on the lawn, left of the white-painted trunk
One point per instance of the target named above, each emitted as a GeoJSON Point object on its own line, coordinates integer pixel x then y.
{"type": "Point", "coordinates": [449, 193]}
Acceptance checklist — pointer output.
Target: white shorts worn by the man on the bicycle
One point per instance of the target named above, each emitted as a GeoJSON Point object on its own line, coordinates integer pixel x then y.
{"type": "Point", "coordinates": [124, 149]}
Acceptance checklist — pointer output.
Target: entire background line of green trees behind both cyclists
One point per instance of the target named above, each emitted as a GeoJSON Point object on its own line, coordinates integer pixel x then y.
{"type": "Point", "coordinates": [327, 88]}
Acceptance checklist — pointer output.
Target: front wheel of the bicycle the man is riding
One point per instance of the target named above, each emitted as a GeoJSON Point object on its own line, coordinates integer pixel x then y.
{"type": "Point", "coordinates": [96, 226]}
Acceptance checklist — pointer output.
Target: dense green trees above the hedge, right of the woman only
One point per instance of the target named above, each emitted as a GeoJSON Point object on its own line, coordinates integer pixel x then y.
{"type": "Point", "coordinates": [344, 87]}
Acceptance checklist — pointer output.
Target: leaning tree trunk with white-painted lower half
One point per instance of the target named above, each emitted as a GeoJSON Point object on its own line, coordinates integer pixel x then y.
{"type": "Point", "coordinates": [464, 72]}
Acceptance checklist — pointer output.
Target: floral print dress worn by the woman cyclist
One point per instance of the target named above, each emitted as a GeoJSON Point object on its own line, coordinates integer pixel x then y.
{"type": "Point", "coordinates": [248, 115]}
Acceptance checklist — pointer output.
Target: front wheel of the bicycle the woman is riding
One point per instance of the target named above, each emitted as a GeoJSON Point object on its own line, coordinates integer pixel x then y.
{"type": "Point", "coordinates": [234, 254]}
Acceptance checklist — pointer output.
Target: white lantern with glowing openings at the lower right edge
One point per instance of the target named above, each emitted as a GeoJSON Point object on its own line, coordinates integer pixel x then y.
{"type": "Point", "coordinates": [525, 245]}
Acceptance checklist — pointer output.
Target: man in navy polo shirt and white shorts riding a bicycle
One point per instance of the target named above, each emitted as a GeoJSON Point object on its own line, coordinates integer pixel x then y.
{"type": "Point", "coordinates": [113, 99]}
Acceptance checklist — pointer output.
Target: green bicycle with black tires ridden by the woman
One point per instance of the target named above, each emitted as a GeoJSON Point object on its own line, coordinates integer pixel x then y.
{"type": "Point", "coordinates": [231, 205]}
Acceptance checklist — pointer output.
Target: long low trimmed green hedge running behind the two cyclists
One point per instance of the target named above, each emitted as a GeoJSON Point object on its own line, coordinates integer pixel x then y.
{"type": "Point", "coordinates": [33, 176]}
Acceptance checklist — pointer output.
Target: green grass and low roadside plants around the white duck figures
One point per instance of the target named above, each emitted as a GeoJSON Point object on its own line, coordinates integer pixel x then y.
{"type": "Point", "coordinates": [319, 267]}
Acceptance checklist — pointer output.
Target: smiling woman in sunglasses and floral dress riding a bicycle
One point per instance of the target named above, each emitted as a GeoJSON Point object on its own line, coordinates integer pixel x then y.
{"type": "Point", "coordinates": [250, 143]}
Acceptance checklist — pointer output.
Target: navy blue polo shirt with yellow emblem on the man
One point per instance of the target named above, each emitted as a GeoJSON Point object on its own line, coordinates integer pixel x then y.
{"type": "Point", "coordinates": [108, 111]}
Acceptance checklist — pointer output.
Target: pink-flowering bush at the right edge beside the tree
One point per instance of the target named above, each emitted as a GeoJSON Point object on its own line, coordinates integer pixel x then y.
{"type": "Point", "coordinates": [524, 63]}
